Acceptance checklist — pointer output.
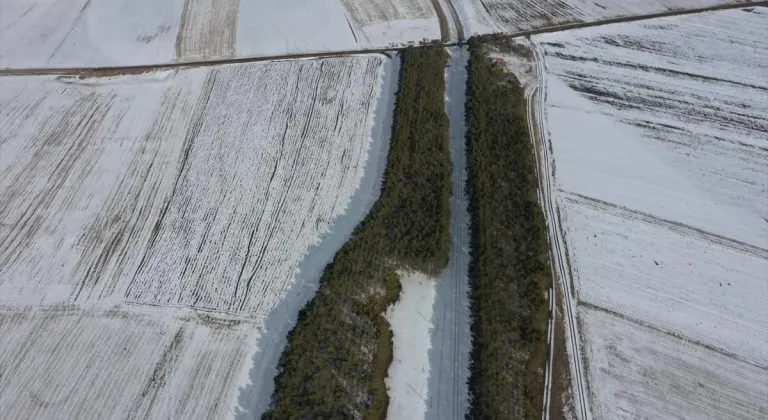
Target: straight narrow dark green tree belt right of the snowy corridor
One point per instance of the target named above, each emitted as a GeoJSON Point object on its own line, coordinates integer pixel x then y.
{"type": "Point", "coordinates": [509, 270]}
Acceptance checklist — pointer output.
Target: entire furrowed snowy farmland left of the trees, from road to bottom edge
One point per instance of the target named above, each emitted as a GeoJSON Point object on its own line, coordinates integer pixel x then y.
{"type": "Point", "coordinates": [151, 224]}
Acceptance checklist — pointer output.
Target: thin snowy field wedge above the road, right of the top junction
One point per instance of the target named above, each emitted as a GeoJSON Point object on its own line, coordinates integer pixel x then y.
{"type": "Point", "coordinates": [488, 16]}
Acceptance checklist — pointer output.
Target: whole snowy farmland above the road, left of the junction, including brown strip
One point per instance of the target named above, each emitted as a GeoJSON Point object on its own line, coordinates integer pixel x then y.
{"type": "Point", "coordinates": [99, 33]}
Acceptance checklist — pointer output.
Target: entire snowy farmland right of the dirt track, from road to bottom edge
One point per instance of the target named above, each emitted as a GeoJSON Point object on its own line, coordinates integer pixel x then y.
{"type": "Point", "coordinates": [660, 167]}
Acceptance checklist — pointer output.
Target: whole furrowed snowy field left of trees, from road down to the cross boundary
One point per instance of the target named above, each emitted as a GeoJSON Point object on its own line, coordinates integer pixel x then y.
{"type": "Point", "coordinates": [199, 189]}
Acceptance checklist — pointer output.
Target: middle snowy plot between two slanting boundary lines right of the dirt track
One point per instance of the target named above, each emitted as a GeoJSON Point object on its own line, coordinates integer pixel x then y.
{"type": "Point", "coordinates": [711, 291]}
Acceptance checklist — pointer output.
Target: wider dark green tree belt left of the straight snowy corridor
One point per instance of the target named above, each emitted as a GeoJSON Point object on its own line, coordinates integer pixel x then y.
{"type": "Point", "coordinates": [338, 354]}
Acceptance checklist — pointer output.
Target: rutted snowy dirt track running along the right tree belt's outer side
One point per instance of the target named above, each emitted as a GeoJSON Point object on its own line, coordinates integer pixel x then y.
{"type": "Point", "coordinates": [535, 96]}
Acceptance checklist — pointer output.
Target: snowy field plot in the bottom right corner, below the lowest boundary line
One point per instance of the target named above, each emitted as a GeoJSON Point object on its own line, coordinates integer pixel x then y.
{"type": "Point", "coordinates": [638, 373]}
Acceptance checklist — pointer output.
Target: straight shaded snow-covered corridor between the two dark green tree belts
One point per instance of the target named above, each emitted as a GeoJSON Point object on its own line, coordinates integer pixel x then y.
{"type": "Point", "coordinates": [451, 341]}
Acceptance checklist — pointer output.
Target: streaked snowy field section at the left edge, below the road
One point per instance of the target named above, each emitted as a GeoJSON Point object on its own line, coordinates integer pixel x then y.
{"type": "Point", "coordinates": [86, 166]}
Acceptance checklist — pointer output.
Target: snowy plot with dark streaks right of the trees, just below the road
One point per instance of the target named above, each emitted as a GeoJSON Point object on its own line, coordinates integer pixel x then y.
{"type": "Point", "coordinates": [680, 105]}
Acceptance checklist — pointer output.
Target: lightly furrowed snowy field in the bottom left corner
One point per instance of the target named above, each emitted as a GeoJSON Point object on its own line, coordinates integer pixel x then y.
{"type": "Point", "coordinates": [70, 363]}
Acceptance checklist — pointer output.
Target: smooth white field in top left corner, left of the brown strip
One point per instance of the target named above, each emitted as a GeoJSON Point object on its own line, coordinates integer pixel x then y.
{"type": "Point", "coordinates": [42, 33]}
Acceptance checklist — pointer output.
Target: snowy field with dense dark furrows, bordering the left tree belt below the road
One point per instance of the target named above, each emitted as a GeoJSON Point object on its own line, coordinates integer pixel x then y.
{"type": "Point", "coordinates": [238, 242]}
